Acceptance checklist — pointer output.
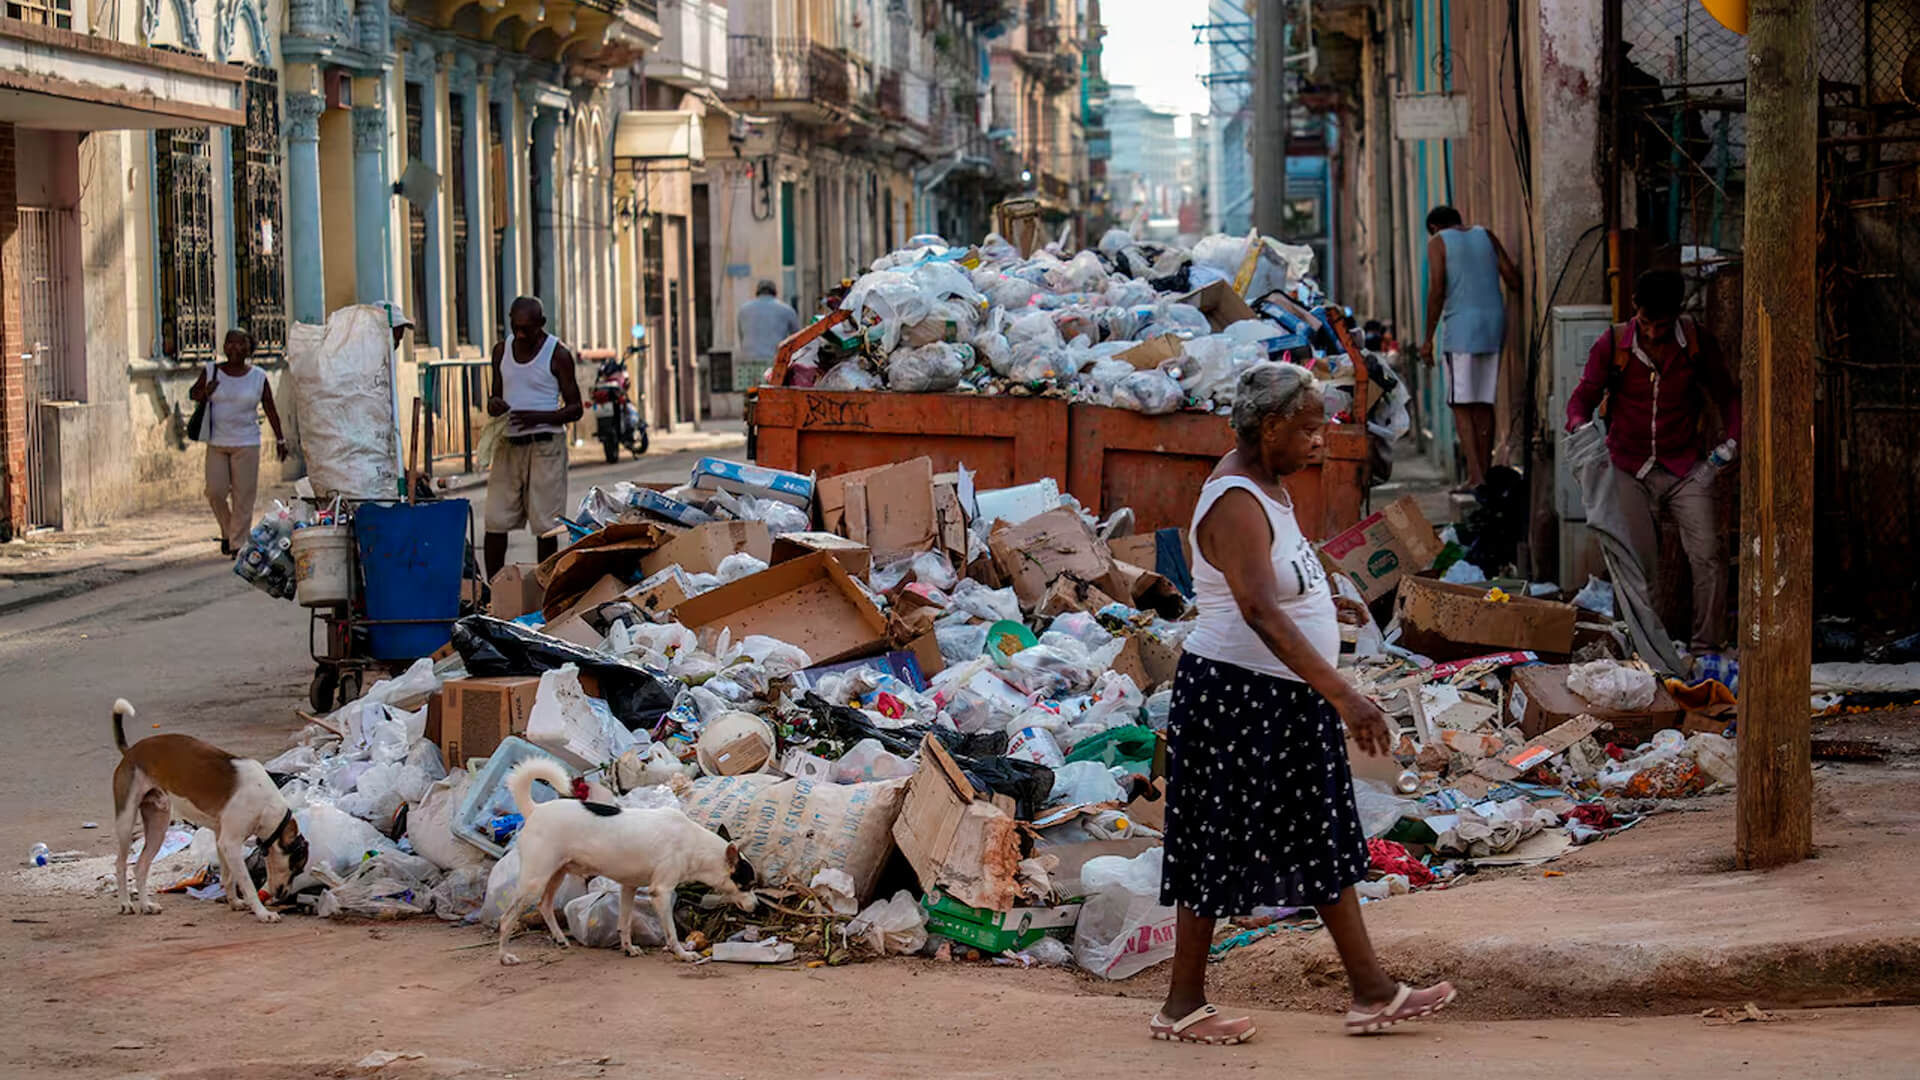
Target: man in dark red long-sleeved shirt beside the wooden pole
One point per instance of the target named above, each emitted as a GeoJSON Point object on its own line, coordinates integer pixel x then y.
{"type": "Point", "coordinates": [1658, 374]}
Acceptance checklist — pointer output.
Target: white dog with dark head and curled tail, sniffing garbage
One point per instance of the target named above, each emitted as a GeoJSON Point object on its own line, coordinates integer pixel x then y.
{"type": "Point", "coordinates": [658, 850]}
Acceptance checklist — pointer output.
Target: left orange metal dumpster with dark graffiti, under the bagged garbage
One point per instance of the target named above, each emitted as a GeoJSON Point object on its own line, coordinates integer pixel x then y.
{"type": "Point", "coordinates": [1005, 441]}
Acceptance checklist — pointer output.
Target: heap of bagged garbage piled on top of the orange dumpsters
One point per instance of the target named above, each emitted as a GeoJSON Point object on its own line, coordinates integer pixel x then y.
{"type": "Point", "coordinates": [1136, 326]}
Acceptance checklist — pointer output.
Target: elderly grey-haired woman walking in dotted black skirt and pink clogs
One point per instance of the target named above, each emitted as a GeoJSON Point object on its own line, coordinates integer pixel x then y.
{"type": "Point", "coordinates": [1260, 800]}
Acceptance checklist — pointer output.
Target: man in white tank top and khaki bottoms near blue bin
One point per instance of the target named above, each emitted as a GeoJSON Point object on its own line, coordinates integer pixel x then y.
{"type": "Point", "coordinates": [537, 391]}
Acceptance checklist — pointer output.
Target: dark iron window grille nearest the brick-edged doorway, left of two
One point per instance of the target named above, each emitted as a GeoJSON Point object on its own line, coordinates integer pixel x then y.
{"type": "Point", "coordinates": [185, 232]}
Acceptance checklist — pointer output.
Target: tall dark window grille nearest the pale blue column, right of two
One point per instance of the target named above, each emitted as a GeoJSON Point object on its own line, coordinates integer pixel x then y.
{"type": "Point", "coordinates": [260, 249]}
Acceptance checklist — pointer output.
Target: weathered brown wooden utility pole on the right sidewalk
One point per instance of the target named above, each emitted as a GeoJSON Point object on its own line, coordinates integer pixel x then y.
{"type": "Point", "coordinates": [1777, 380]}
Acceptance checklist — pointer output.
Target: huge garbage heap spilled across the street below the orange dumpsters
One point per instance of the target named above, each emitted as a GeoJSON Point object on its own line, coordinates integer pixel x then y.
{"type": "Point", "coordinates": [932, 718]}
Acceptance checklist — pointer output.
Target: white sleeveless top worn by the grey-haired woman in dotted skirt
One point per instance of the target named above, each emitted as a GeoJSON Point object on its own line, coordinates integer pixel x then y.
{"type": "Point", "coordinates": [1222, 635]}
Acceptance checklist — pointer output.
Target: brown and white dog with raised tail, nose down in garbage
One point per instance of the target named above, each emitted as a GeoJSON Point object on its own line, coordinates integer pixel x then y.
{"type": "Point", "coordinates": [231, 795]}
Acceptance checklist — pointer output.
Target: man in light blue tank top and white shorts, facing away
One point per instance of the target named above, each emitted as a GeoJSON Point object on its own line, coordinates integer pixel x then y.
{"type": "Point", "coordinates": [1468, 328]}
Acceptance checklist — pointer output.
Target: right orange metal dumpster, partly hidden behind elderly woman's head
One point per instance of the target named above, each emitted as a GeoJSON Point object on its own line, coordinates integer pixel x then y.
{"type": "Point", "coordinates": [1159, 464]}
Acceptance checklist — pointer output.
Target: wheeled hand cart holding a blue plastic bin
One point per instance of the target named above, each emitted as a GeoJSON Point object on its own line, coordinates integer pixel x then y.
{"type": "Point", "coordinates": [360, 637]}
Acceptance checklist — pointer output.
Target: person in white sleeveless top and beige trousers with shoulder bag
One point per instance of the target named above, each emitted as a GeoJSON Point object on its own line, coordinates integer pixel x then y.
{"type": "Point", "coordinates": [235, 393]}
